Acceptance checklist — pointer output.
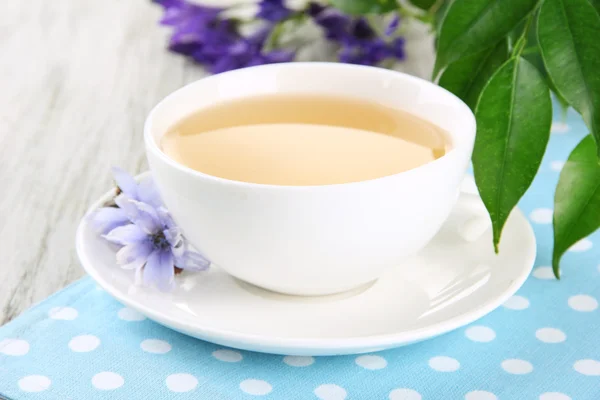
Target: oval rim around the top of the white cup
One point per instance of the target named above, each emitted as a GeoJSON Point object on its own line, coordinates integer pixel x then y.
{"type": "Point", "coordinates": [152, 144]}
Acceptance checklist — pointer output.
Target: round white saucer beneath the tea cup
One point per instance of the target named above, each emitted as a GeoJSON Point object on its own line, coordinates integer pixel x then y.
{"type": "Point", "coordinates": [449, 284]}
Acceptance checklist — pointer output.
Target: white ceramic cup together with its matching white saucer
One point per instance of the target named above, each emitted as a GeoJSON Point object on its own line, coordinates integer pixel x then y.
{"type": "Point", "coordinates": [323, 270]}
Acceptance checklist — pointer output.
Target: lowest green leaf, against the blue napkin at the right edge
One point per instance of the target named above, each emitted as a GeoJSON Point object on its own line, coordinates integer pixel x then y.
{"type": "Point", "coordinates": [576, 200]}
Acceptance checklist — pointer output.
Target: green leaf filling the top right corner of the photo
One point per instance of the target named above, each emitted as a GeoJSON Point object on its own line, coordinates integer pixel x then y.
{"type": "Point", "coordinates": [569, 38]}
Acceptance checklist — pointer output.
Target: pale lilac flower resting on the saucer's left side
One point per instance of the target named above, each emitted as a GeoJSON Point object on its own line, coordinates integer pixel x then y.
{"type": "Point", "coordinates": [151, 243]}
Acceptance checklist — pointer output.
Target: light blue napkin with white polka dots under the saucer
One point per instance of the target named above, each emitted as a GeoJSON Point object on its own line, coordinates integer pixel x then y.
{"type": "Point", "coordinates": [544, 343]}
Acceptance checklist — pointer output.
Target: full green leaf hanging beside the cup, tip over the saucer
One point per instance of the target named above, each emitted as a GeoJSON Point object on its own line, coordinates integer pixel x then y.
{"type": "Point", "coordinates": [513, 115]}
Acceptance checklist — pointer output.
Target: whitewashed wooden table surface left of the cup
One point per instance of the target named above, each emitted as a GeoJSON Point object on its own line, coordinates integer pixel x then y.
{"type": "Point", "coordinates": [77, 80]}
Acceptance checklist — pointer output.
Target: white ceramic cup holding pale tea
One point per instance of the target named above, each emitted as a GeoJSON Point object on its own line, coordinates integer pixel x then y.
{"type": "Point", "coordinates": [313, 240]}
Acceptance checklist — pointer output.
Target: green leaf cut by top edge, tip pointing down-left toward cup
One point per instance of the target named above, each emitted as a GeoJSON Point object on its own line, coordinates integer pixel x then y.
{"type": "Point", "coordinates": [470, 26]}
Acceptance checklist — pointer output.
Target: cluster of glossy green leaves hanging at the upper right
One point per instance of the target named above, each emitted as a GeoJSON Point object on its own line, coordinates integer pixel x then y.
{"type": "Point", "coordinates": [550, 45]}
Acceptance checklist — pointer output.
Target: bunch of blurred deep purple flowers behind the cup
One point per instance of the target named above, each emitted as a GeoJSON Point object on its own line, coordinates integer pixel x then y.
{"type": "Point", "coordinates": [203, 34]}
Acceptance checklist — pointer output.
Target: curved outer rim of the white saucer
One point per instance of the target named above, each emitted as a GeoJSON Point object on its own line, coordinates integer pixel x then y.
{"type": "Point", "coordinates": [310, 346]}
